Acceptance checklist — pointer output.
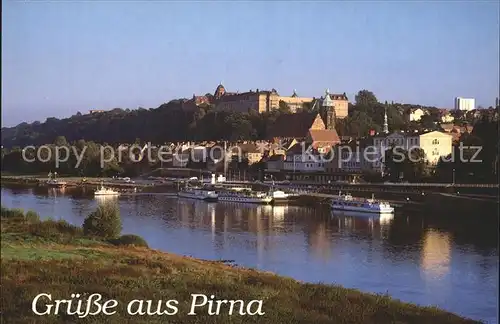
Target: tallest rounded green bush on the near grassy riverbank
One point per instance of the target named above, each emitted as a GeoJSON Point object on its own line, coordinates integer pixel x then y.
{"type": "Point", "coordinates": [104, 222]}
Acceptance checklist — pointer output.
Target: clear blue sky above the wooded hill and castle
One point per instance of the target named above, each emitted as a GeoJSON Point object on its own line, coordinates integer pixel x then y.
{"type": "Point", "coordinates": [61, 57]}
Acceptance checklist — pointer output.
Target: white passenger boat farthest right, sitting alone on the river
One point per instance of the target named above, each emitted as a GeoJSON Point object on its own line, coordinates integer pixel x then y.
{"type": "Point", "coordinates": [348, 203]}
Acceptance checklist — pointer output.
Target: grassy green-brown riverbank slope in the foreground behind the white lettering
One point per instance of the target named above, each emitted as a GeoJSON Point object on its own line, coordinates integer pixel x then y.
{"type": "Point", "coordinates": [57, 258]}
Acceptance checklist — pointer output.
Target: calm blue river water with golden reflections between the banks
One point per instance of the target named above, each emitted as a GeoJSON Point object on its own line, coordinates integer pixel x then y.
{"type": "Point", "coordinates": [452, 264]}
